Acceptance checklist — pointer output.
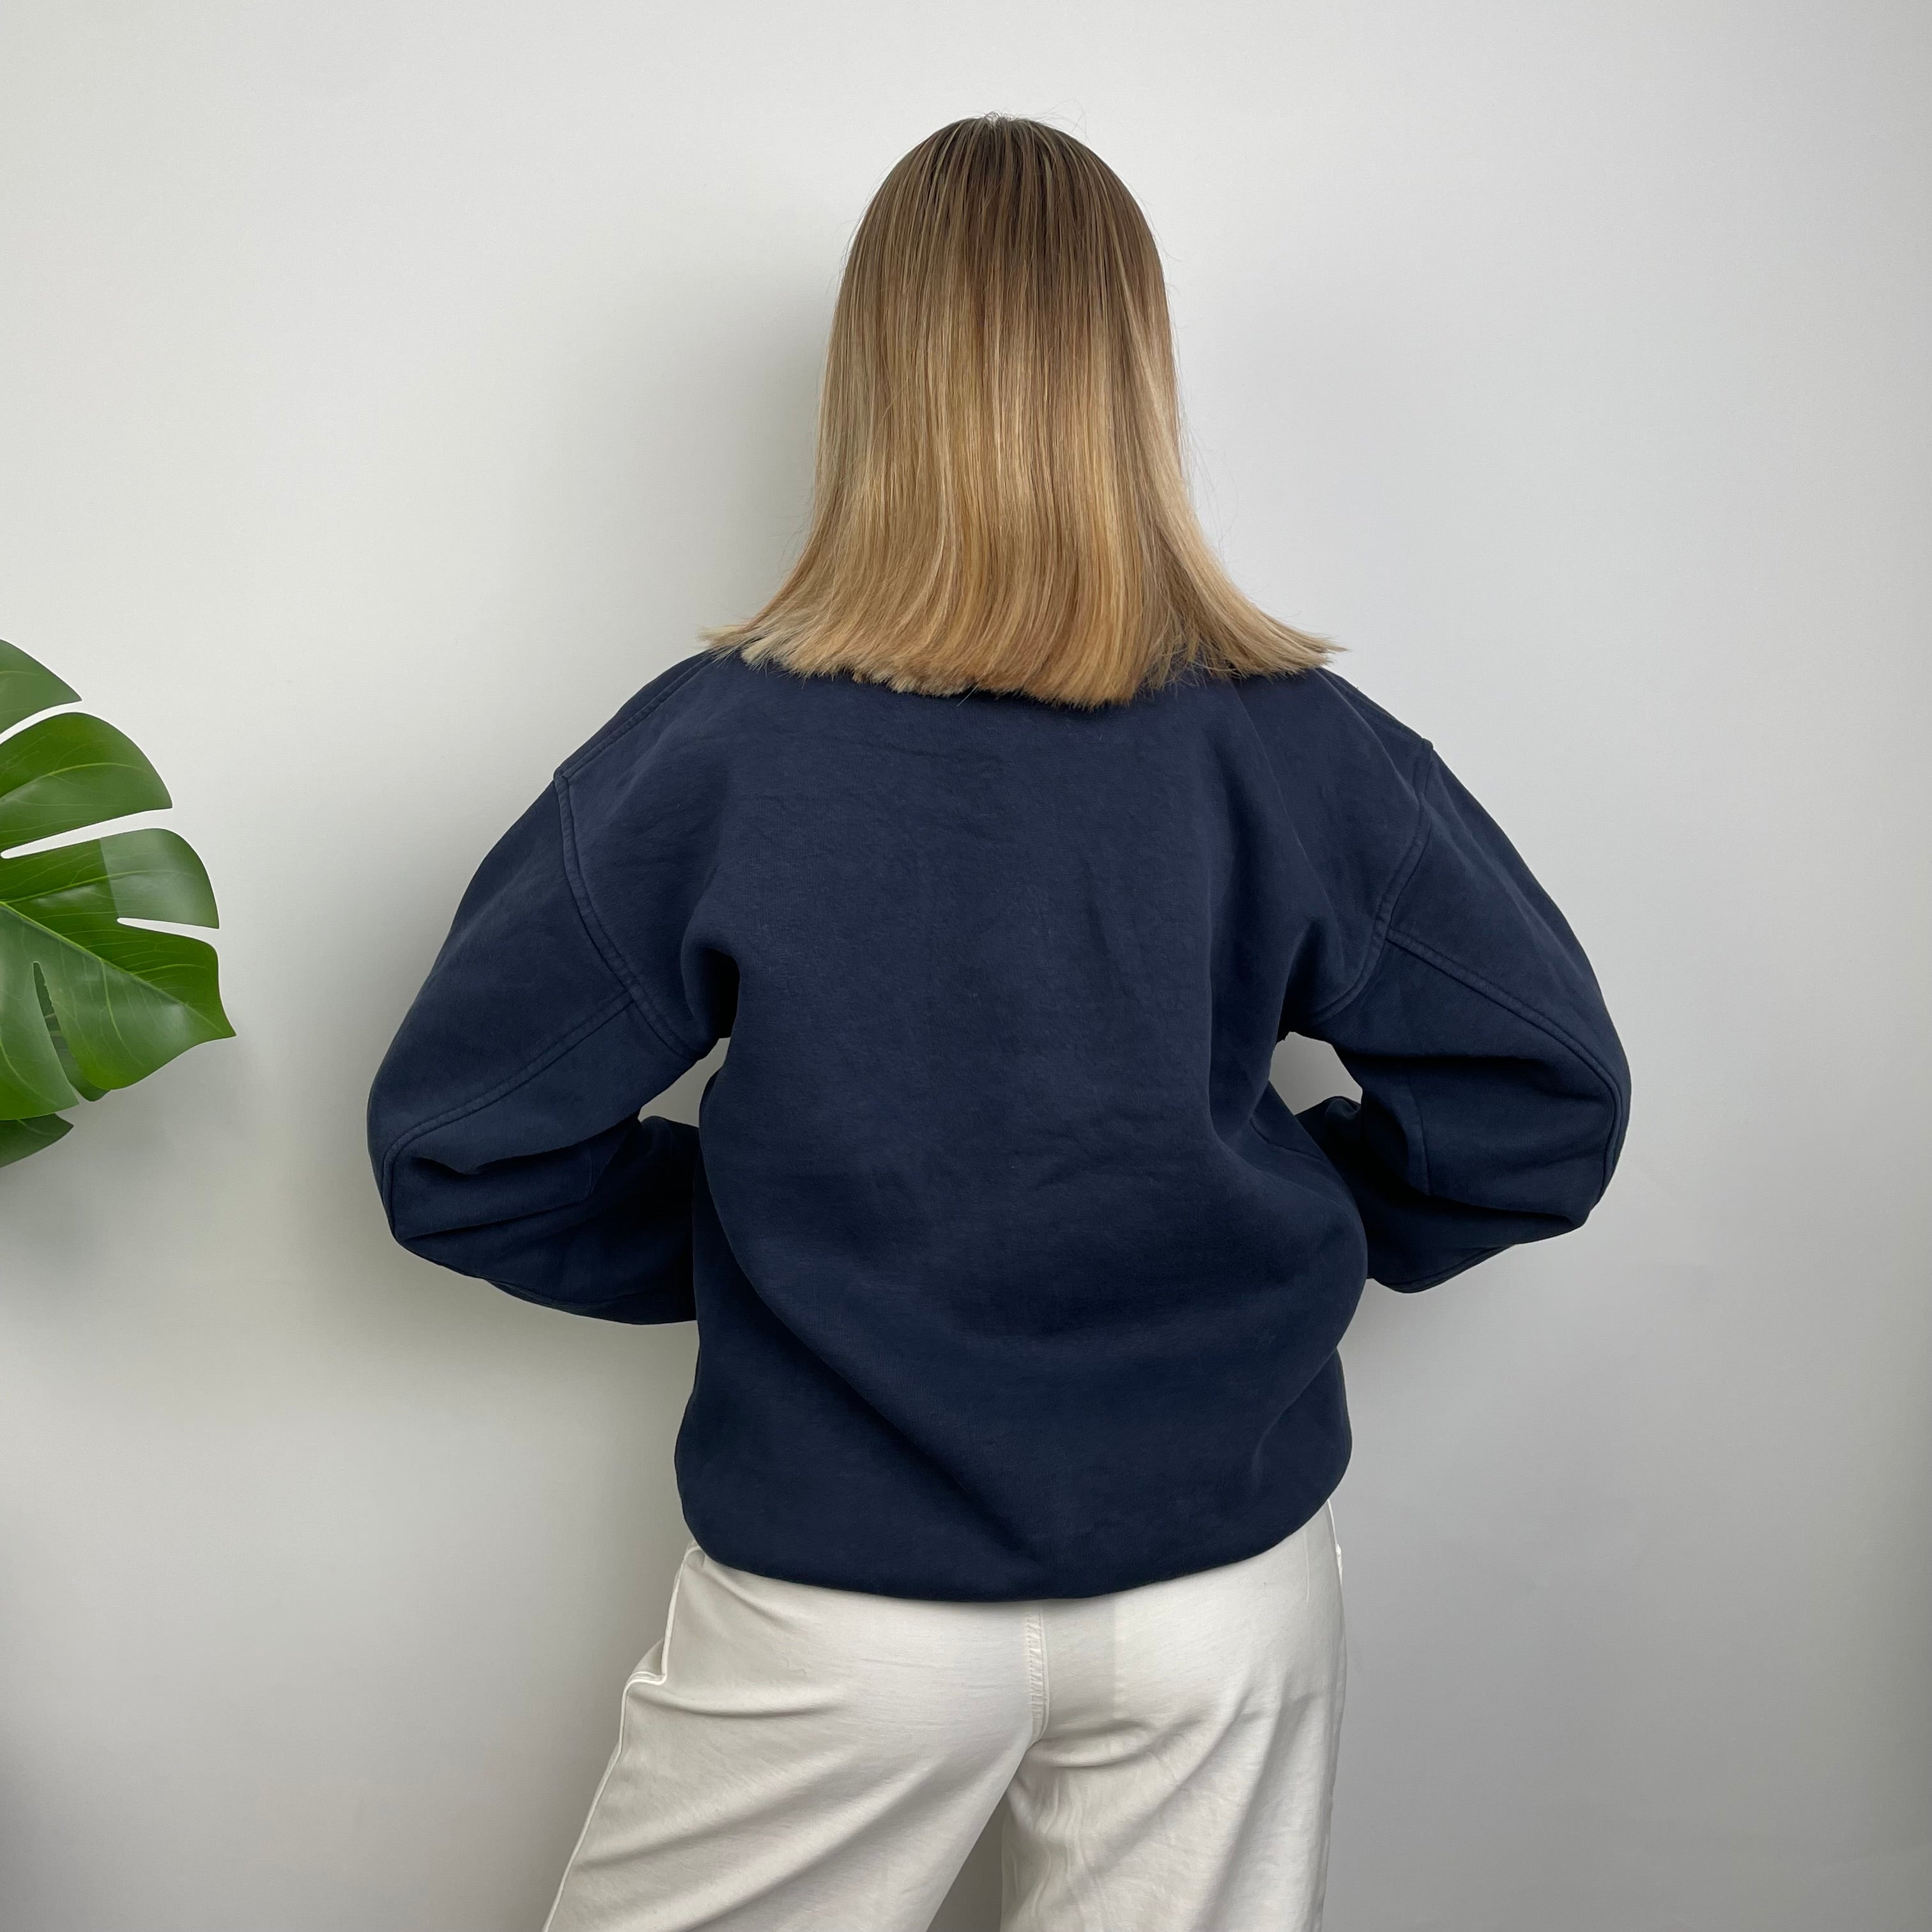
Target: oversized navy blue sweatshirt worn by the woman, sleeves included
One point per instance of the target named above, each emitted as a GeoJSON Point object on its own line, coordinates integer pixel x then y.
{"type": "Point", "coordinates": [1013, 1276]}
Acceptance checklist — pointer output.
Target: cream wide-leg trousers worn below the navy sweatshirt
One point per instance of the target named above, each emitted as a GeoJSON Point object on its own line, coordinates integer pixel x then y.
{"type": "Point", "coordinates": [795, 1759]}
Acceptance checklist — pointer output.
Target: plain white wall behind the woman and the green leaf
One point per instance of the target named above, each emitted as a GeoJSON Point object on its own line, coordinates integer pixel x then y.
{"type": "Point", "coordinates": [387, 389]}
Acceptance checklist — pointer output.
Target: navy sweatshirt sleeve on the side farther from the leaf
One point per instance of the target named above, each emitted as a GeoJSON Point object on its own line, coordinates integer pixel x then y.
{"type": "Point", "coordinates": [1494, 1089]}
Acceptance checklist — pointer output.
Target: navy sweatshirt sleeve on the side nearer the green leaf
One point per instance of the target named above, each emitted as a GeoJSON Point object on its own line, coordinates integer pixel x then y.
{"type": "Point", "coordinates": [503, 1123]}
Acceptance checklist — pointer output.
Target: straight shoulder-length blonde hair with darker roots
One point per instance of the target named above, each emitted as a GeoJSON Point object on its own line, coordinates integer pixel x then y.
{"type": "Point", "coordinates": [1002, 501]}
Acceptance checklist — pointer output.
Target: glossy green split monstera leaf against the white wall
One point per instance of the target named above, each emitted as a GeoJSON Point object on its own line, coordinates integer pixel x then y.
{"type": "Point", "coordinates": [86, 1002]}
